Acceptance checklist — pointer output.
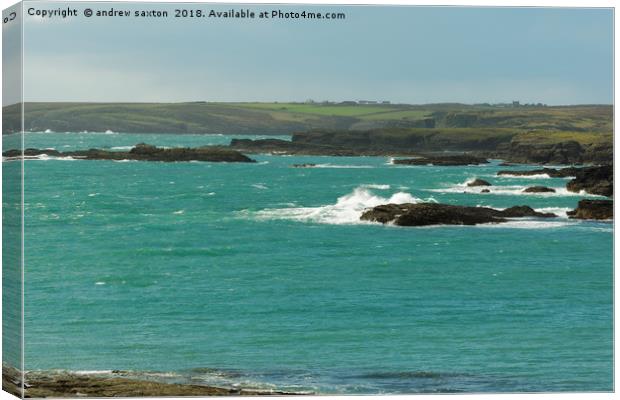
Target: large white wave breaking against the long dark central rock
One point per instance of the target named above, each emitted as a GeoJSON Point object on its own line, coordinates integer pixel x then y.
{"type": "Point", "coordinates": [347, 209]}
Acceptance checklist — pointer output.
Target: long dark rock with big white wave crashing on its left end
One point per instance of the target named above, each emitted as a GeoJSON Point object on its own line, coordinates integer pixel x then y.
{"type": "Point", "coordinates": [424, 214]}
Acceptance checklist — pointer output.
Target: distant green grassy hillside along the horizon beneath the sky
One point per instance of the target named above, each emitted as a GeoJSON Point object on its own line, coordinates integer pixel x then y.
{"type": "Point", "coordinates": [286, 118]}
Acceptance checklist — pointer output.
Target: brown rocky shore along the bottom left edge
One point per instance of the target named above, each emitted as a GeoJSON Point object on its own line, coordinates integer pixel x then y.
{"type": "Point", "coordinates": [64, 384]}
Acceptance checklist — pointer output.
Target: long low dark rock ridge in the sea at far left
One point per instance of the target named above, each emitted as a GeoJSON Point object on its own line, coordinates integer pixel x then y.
{"type": "Point", "coordinates": [145, 152]}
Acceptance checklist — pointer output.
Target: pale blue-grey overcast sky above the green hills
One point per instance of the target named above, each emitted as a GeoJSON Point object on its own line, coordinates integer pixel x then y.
{"type": "Point", "coordinates": [402, 54]}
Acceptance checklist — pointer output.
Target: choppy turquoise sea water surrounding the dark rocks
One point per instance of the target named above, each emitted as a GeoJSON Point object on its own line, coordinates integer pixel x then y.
{"type": "Point", "coordinates": [261, 275]}
